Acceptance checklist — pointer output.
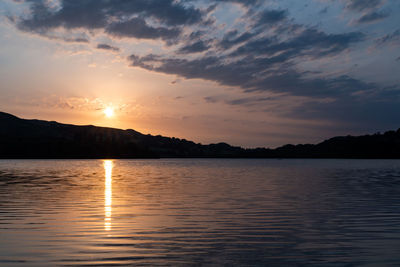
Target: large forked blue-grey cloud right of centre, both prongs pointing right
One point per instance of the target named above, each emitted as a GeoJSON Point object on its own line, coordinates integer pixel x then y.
{"type": "Point", "coordinates": [264, 63]}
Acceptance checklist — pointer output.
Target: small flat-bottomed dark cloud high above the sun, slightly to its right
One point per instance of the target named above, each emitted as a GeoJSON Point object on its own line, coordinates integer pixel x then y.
{"type": "Point", "coordinates": [138, 28]}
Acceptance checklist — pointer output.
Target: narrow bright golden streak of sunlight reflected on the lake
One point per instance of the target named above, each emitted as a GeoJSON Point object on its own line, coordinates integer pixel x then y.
{"type": "Point", "coordinates": [108, 165]}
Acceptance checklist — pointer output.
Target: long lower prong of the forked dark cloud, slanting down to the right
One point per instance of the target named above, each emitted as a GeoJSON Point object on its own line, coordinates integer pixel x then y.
{"type": "Point", "coordinates": [253, 75]}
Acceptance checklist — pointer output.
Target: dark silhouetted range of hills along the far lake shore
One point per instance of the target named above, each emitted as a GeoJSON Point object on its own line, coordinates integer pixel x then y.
{"type": "Point", "coordinates": [20, 138]}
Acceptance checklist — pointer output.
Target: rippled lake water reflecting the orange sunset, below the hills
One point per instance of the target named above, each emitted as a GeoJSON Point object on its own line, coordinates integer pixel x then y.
{"type": "Point", "coordinates": [215, 212]}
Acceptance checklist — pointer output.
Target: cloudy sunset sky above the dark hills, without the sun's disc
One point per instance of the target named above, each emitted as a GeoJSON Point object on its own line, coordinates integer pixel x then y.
{"type": "Point", "coordinates": [250, 73]}
